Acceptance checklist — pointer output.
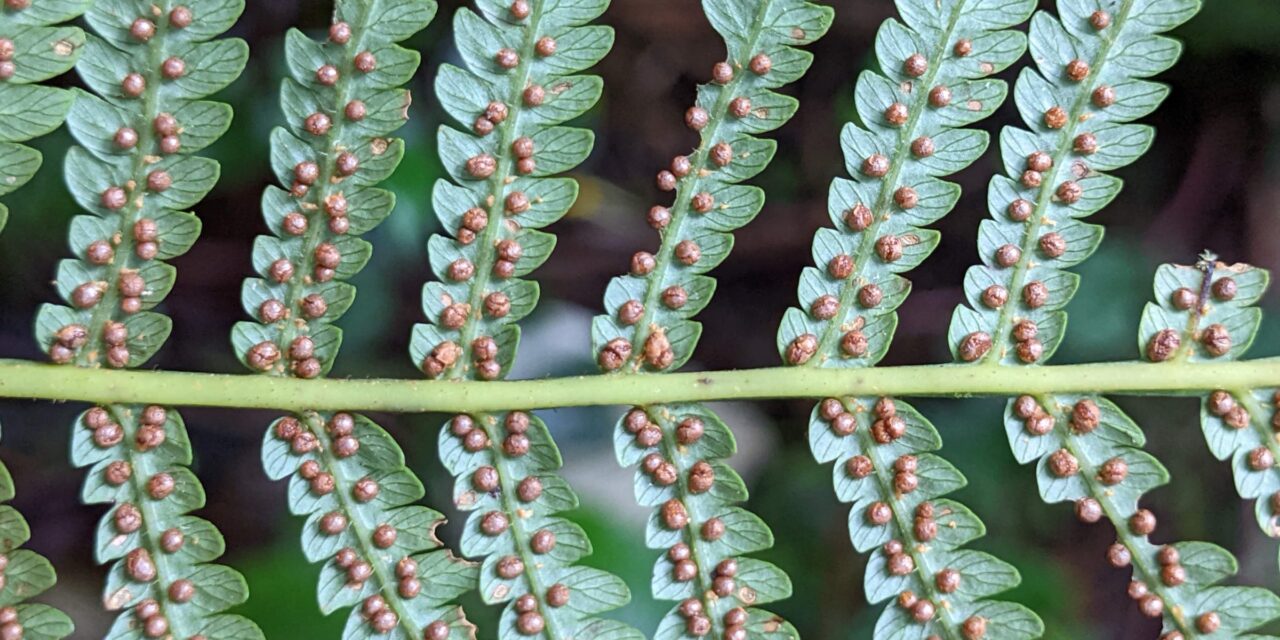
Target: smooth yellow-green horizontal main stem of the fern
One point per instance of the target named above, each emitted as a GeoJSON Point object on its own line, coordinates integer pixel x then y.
{"type": "Point", "coordinates": [33, 381]}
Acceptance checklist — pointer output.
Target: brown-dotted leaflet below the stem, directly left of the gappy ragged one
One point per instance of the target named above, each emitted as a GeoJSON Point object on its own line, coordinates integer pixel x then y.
{"type": "Point", "coordinates": [926, 533]}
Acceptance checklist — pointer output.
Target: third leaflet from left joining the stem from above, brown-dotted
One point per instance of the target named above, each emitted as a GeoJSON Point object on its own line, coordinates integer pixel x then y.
{"type": "Point", "coordinates": [492, 220]}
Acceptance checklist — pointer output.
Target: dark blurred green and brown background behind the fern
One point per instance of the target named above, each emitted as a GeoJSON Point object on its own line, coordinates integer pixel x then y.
{"type": "Point", "coordinates": [1213, 181]}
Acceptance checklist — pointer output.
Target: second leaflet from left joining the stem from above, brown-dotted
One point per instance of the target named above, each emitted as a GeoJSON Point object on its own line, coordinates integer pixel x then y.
{"type": "Point", "coordinates": [341, 127]}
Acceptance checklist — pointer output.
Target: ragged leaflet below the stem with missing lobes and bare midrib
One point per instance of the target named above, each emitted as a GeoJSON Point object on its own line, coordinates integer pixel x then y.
{"type": "Point", "coordinates": [1098, 447]}
